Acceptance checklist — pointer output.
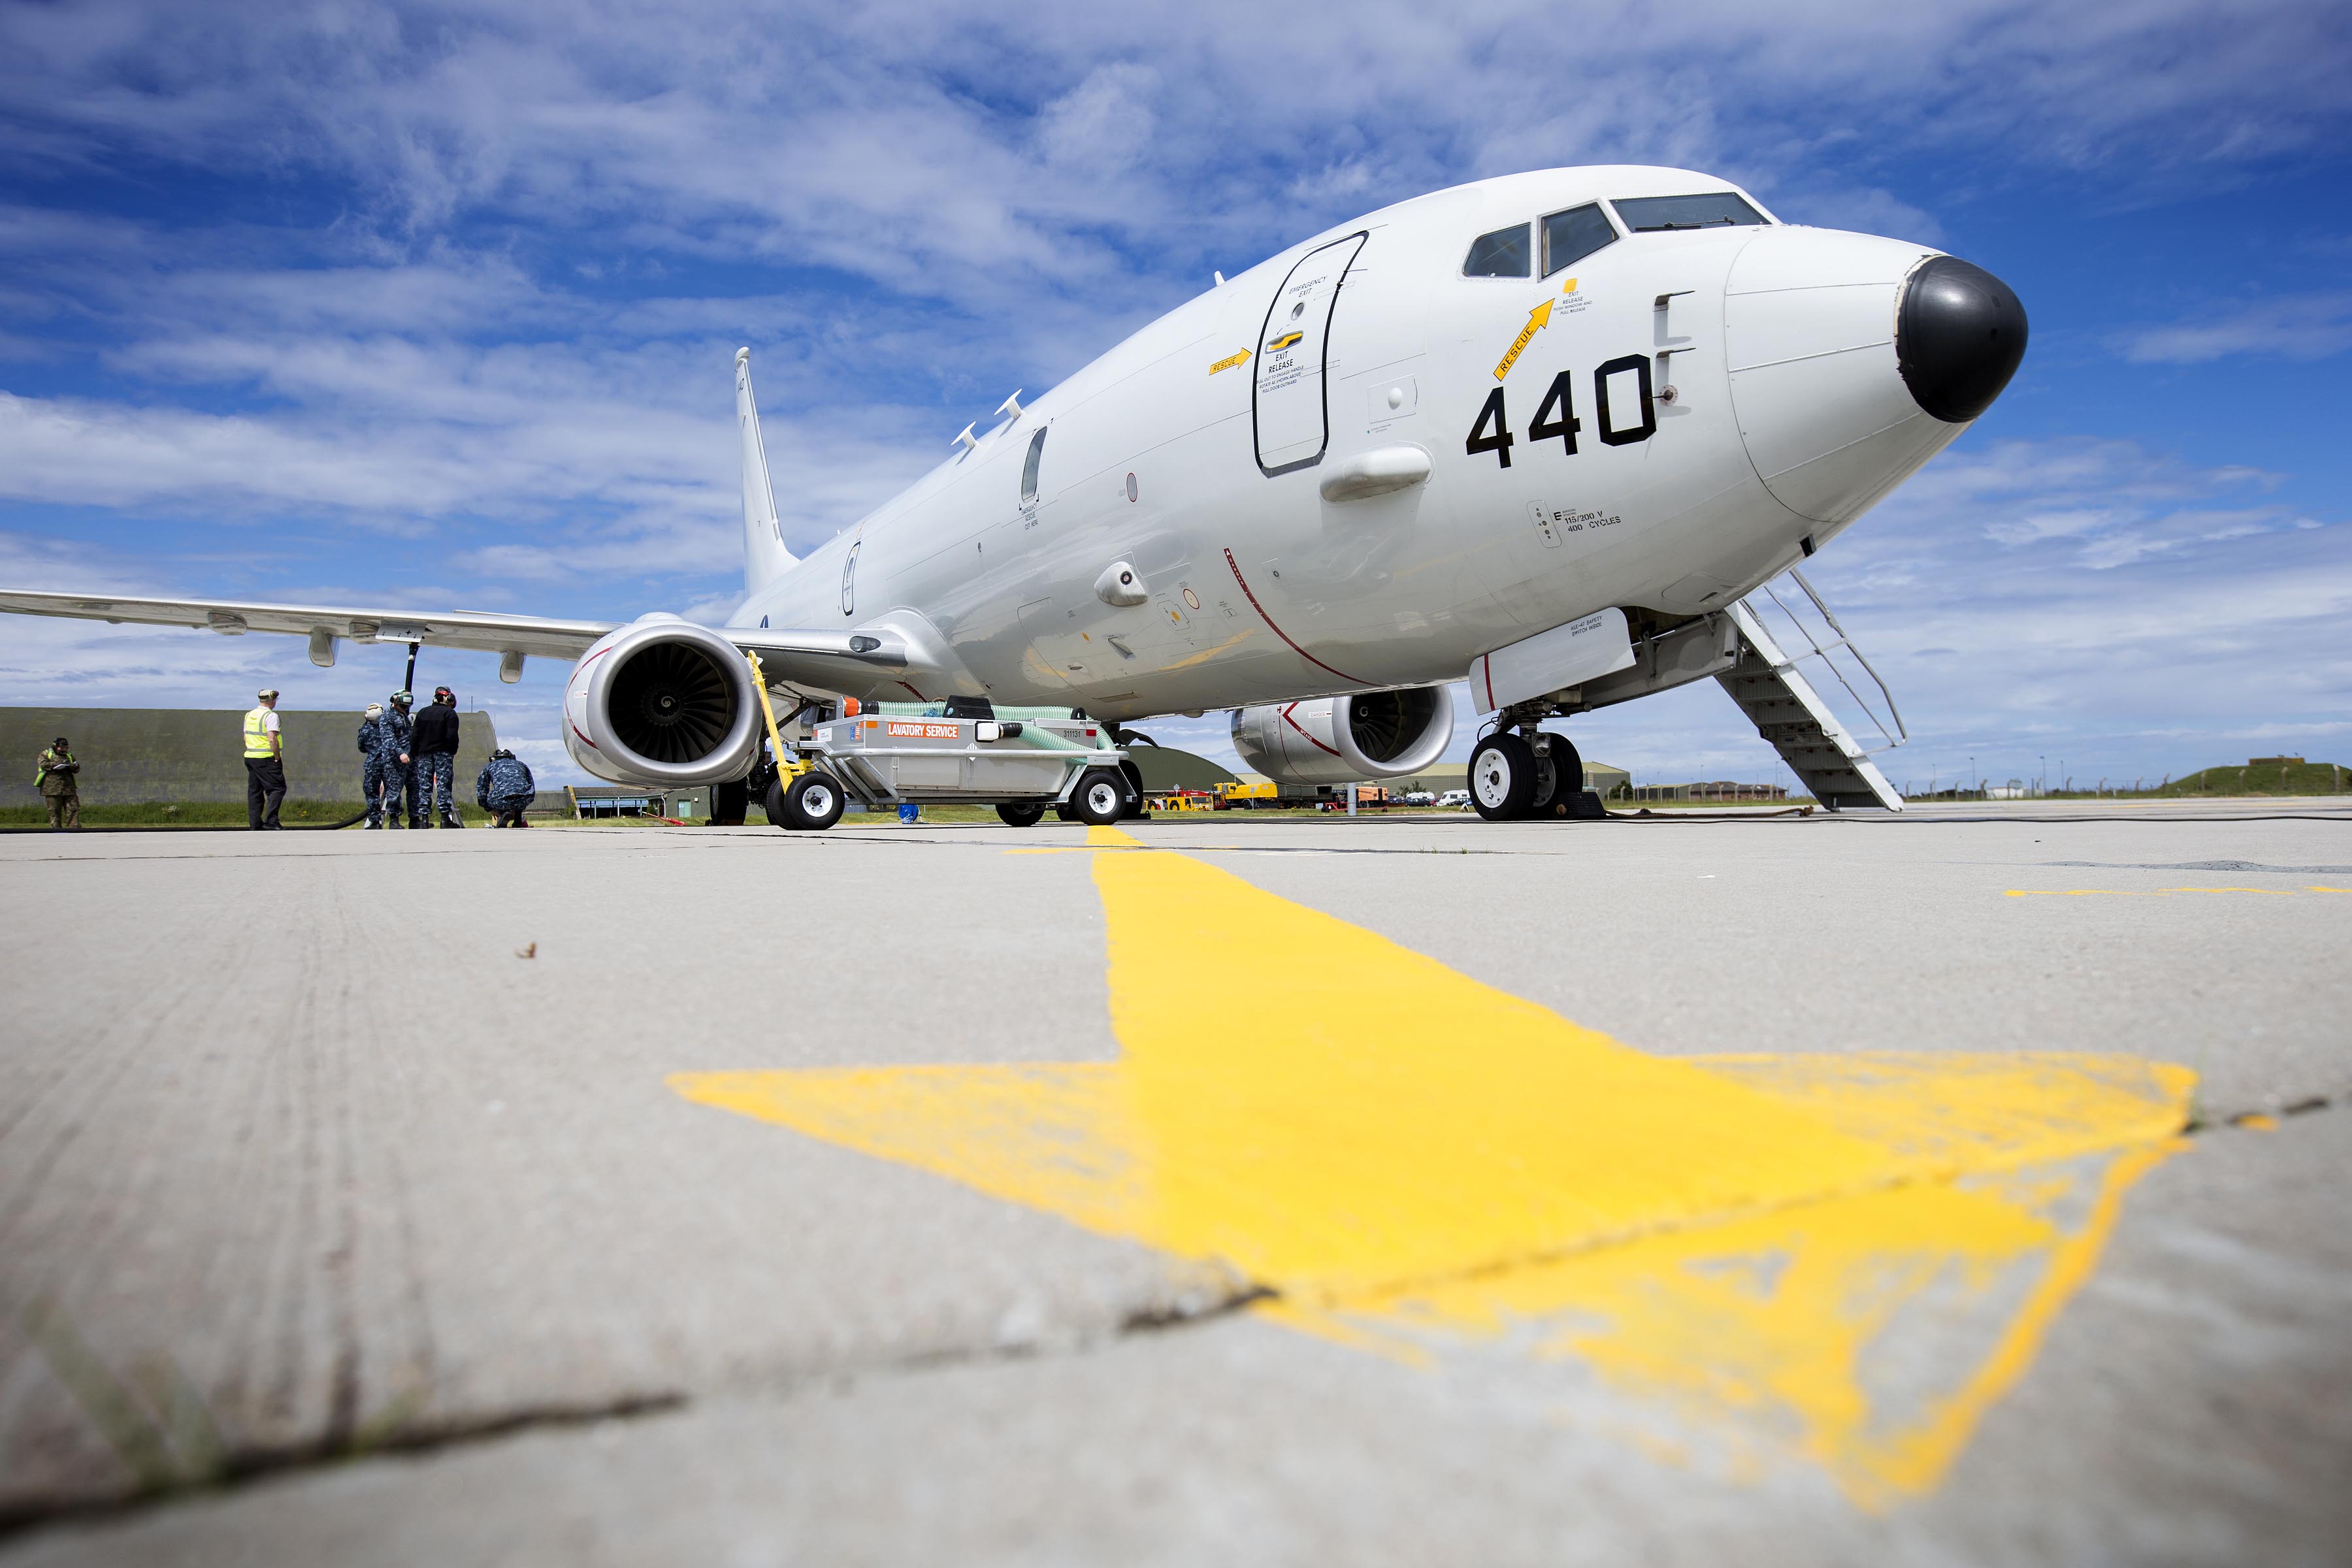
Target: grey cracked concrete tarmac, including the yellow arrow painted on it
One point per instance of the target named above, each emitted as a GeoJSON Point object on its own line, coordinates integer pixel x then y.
{"type": "Point", "coordinates": [1939, 1188]}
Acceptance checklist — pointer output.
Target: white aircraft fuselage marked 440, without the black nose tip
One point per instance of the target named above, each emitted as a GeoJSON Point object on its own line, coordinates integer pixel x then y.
{"type": "Point", "coordinates": [1664, 420]}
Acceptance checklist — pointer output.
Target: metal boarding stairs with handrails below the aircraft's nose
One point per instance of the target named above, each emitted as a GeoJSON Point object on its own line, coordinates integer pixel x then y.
{"type": "Point", "coordinates": [1786, 636]}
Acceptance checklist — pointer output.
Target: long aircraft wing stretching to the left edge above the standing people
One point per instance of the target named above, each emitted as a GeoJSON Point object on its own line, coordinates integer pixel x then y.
{"type": "Point", "coordinates": [808, 657]}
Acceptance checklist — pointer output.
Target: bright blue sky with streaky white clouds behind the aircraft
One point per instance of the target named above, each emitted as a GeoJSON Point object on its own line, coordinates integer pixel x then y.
{"type": "Point", "coordinates": [436, 307]}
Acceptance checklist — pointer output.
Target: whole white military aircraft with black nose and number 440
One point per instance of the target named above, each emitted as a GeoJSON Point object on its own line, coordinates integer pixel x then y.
{"type": "Point", "coordinates": [1537, 431]}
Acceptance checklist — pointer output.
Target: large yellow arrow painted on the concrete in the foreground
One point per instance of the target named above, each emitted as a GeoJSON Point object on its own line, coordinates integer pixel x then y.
{"type": "Point", "coordinates": [1850, 1254]}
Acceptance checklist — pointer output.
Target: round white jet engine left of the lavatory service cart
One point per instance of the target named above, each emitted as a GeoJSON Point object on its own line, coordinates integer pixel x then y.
{"type": "Point", "coordinates": [662, 704]}
